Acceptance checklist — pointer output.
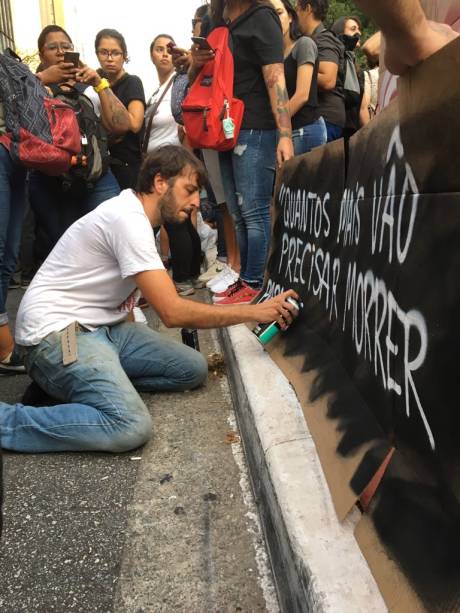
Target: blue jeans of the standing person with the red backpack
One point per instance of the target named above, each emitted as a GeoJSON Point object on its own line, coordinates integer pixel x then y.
{"type": "Point", "coordinates": [248, 174]}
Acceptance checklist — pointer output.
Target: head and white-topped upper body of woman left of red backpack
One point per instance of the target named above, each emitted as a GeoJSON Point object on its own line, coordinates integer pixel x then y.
{"type": "Point", "coordinates": [164, 127]}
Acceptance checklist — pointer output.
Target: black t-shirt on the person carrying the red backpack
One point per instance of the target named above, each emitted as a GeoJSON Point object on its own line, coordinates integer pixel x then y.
{"type": "Point", "coordinates": [257, 41]}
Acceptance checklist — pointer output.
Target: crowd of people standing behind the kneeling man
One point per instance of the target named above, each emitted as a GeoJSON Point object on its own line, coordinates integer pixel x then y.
{"type": "Point", "coordinates": [267, 36]}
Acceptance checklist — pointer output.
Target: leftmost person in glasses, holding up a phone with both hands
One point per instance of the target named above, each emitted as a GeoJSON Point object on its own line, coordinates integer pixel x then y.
{"type": "Point", "coordinates": [55, 205]}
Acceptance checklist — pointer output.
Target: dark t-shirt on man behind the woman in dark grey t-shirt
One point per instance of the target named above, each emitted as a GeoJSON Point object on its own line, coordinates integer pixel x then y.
{"type": "Point", "coordinates": [330, 49]}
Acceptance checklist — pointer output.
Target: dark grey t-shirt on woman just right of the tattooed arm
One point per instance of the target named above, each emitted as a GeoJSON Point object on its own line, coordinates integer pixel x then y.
{"type": "Point", "coordinates": [303, 52]}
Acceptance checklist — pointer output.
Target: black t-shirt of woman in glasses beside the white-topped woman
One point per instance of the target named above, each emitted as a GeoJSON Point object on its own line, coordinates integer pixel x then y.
{"type": "Point", "coordinates": [128, 150]}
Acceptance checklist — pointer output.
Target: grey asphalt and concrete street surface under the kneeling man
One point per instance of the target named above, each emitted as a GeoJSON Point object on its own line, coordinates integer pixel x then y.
{"type": "Point", "coordinates": [170, 527]}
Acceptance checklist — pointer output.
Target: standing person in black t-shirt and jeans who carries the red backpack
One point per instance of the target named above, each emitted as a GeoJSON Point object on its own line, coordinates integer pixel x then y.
{"type": "Point", "coordinates": [265, 139]}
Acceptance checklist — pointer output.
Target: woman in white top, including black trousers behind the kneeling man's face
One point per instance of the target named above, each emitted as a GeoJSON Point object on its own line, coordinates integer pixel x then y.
{"type": "Point", "coordinates": [184, 241]}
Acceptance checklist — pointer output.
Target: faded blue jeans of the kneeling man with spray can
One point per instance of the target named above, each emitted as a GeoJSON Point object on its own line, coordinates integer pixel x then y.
{"type": "Point", "coordinates": [104, 410]}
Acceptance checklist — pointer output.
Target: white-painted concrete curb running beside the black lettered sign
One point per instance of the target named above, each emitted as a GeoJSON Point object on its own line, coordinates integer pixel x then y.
{"type": "Point", "coordinates": [316, 561]}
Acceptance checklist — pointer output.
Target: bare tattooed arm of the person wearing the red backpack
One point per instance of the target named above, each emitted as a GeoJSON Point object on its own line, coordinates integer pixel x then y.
{"type": "Point", "coordinates": [279, 99]}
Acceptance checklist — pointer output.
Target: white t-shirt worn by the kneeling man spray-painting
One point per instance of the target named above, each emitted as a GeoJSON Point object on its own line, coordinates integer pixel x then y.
{"type": "Point", "coordinates": [88, 277]}
